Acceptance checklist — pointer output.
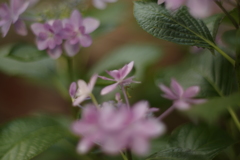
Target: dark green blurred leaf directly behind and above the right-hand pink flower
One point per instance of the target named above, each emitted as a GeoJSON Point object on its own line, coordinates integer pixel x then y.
{"type": "Point", "coordinates": [214, 74]}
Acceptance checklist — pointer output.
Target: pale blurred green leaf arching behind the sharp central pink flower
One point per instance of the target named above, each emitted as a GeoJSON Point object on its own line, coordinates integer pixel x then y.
{"type": "Point", "coordinates": [142, 55]}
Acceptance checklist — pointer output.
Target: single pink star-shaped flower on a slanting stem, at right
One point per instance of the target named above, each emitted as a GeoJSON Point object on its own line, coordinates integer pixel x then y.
{"type": "Point", "coordinates": [181, 99]}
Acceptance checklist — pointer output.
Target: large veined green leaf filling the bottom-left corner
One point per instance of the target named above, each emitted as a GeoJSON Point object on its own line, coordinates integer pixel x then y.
{"type": "Point", "coordinates": [25, 138]}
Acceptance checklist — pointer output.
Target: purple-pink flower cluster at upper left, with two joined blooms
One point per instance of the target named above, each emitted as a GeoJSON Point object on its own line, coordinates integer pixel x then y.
{"type": "Point", "coordinates": [74, 32]}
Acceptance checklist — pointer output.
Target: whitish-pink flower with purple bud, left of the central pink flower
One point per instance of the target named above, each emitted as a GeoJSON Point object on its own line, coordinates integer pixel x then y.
{"type": "Point", "coordinates": [84, 90]}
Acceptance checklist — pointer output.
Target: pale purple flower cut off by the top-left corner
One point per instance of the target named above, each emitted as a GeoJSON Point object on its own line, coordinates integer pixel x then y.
{"type": "Point", "coordinates": [11, 15]}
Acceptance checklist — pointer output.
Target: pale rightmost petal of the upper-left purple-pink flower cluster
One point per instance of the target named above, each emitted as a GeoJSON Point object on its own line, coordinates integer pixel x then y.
{"type": "Point", "coordinates": [90, 24]}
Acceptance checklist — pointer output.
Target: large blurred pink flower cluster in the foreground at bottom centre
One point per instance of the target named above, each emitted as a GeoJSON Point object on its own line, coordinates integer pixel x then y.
{"type": "Point", "coordinates": [116, 129]}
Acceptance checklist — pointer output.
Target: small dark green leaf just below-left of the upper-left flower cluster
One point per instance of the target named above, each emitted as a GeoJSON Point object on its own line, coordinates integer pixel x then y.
{"type": "Point", "coordinates": [26, 53]}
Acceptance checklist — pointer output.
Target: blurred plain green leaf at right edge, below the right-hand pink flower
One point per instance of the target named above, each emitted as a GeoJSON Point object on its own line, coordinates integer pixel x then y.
{"type": "Point", "coordinates": [214, 108]}
